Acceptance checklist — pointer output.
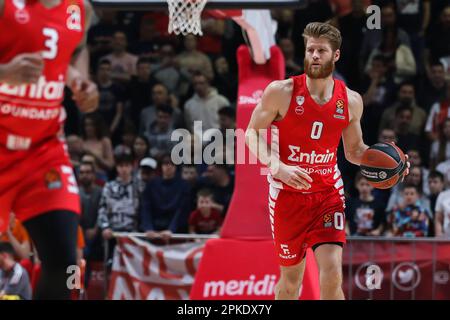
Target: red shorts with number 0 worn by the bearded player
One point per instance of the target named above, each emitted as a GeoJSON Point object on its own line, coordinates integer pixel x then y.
{"type": "Point", "coordinates": [303, 220]}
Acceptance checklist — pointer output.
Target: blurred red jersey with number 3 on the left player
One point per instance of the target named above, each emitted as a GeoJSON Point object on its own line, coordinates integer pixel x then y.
{"type": "Point", "coordinates": [32, 113]}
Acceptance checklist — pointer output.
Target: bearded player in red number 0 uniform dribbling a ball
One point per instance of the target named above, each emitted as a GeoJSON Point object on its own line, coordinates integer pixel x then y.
{"type": "Point", "coordinates": [307, 115]}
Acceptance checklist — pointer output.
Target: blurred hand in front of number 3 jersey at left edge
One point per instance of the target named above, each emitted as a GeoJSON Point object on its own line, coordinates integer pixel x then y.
{"type": "Point", "coordinates": [24, 68]}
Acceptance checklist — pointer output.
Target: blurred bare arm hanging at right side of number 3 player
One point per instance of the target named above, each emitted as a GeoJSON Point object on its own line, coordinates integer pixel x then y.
{"type": "Point", "coordinates": [85, 92]}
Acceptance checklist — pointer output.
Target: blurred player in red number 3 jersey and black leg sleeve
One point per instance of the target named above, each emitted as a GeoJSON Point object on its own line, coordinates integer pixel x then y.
{"type": "Point", "coordinates": [40, 39]}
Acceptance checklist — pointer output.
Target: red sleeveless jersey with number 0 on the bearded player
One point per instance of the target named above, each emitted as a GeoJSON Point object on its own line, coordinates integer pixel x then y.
{"type": "Point", "coordinates": [308, 136]}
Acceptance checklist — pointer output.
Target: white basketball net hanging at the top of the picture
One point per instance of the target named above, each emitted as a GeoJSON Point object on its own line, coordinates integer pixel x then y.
{"type": "Point", "coordinates": [185, 16]}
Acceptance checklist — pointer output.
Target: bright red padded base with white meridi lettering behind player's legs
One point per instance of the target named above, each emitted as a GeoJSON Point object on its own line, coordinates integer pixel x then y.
{"type": "Point", "coordinates": [245, 270]}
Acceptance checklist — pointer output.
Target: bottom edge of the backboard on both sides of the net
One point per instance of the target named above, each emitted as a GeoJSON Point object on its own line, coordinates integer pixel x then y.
{"type": "Point", "coordinates": [212, 4]}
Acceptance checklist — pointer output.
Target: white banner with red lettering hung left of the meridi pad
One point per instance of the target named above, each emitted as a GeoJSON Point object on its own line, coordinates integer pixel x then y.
{"type": "Point", "coordinates": [142, 271]}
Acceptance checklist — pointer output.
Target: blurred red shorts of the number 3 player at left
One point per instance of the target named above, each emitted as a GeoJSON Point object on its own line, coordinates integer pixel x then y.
{"type": "Point", "coordinates": [36, 181]}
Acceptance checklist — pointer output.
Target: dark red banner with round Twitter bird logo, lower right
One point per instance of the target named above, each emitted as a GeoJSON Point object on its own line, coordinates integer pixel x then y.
{"type": "Point", "coordinates": [394, 270]}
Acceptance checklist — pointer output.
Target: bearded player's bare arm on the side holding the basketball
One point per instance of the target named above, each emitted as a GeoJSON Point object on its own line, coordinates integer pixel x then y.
{"type": "Point", "coordinates": [354, 146]}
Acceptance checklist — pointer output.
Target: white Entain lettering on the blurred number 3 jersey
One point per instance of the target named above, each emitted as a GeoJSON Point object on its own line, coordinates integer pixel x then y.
{"type": "Point", "coordinates": [43, 89]}
